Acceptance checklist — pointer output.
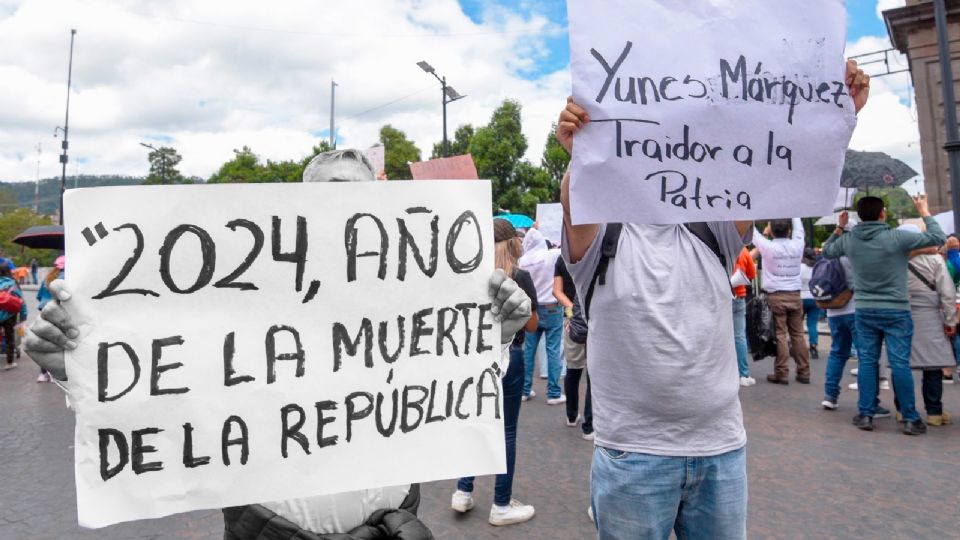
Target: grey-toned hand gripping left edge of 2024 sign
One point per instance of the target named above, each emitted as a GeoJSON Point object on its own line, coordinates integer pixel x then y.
{"type": "Point", "coordinates": [52, 333]}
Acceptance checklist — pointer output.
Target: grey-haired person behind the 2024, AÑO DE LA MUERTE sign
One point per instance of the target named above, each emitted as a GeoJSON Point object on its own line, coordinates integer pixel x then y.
{"type": "Point", "coordinates": [386, 512]}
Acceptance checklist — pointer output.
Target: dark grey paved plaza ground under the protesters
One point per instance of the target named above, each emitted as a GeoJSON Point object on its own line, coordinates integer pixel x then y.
{"type": "Point", "coordinates": [812, 474]}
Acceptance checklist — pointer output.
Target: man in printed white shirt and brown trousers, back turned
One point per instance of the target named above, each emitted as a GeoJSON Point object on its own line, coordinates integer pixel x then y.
{"type": "Point", "coordinates": [781, 280]}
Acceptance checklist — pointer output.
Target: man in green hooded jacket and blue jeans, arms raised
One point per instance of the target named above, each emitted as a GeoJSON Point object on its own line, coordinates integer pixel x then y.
{"type": "Point", "coordinates": [879, 256]}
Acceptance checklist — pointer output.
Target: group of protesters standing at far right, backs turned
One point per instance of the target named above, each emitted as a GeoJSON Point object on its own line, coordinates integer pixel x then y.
{"type": "Point", "coordinates": [900, 302]}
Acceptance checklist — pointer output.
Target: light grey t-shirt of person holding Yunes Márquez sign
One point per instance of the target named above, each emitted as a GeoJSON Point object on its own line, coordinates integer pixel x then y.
{"type": "Point", "coordinates": [662, 362]}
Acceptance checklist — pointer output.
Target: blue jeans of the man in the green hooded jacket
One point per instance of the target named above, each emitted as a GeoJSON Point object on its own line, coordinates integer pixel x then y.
{"type": "Point", "coordinates": [895, 328]}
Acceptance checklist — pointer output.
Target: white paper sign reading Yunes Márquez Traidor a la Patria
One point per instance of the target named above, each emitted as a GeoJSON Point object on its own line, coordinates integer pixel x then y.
{"type": "Point", "coordinates": [708, 109]}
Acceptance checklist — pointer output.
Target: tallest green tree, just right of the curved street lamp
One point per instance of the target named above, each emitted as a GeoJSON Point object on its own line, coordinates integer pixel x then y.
{"type": "Point", "coordinates": [497, 149]}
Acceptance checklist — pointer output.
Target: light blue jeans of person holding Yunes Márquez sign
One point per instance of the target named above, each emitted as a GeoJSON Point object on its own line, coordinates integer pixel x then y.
{"type": "Point", "coordinates": [640, 496]}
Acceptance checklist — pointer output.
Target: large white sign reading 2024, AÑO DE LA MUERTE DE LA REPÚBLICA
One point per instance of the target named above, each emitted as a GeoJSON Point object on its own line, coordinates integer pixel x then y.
{"type": "Point", "coordinates": [252, 343]}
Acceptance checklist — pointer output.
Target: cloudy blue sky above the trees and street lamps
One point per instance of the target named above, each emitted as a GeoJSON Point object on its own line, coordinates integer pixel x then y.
{"type": "Point", "coordinates": [209, 76]}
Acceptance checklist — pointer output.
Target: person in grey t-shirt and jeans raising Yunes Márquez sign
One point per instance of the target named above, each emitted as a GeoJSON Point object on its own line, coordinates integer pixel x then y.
{"type": "Point", "coordinates": [665, 392]}
